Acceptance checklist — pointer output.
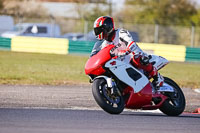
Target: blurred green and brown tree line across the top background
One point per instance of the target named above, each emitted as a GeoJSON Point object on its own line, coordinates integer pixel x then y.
{"type": "Point", "coordinates": [164, 12]}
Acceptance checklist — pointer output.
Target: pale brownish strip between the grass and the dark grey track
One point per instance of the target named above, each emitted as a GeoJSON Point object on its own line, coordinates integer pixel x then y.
{"type": "Point", "coordinates": [70, 96]}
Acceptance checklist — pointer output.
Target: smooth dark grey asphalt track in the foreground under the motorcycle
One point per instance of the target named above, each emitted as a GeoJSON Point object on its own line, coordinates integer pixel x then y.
{"type": "Point", "coordinates": [93, 121]}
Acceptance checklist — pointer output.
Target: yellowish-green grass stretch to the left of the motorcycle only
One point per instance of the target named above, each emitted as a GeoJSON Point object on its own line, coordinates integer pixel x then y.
{"type": "Point", "coordinates": [49, 69]}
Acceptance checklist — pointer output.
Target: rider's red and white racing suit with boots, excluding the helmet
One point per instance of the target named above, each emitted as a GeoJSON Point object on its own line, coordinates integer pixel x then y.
{"type": "Point", "coordinates": [124, 43]}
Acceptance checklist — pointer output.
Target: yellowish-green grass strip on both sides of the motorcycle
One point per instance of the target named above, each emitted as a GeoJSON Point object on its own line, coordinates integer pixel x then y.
{"type": "Point", "coordinates": [51, 69]}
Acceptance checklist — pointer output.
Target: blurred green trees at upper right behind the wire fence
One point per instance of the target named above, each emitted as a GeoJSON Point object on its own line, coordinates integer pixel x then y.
{"type": "Point", "coordinates": [160, 11]}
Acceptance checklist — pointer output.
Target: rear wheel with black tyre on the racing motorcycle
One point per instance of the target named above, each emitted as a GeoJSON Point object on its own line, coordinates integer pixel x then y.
{"type": "Point", "coordinates": [175, 104]}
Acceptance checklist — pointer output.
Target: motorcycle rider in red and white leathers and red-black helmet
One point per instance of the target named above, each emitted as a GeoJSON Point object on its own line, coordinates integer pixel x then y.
{"type": "Point", "coordinates": [105, 31]}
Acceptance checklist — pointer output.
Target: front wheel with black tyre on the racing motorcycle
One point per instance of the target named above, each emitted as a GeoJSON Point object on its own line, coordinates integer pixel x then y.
{"type": "Point", "coordinates": [109, 100]}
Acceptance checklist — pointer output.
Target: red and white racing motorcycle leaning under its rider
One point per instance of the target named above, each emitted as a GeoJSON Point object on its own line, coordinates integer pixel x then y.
{"type": "Point", "coordinates": [116, 85]}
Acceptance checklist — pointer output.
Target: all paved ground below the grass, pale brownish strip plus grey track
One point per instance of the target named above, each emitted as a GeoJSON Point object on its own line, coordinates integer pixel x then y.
{"type": "Point", "coordinates": [72, 109]}
